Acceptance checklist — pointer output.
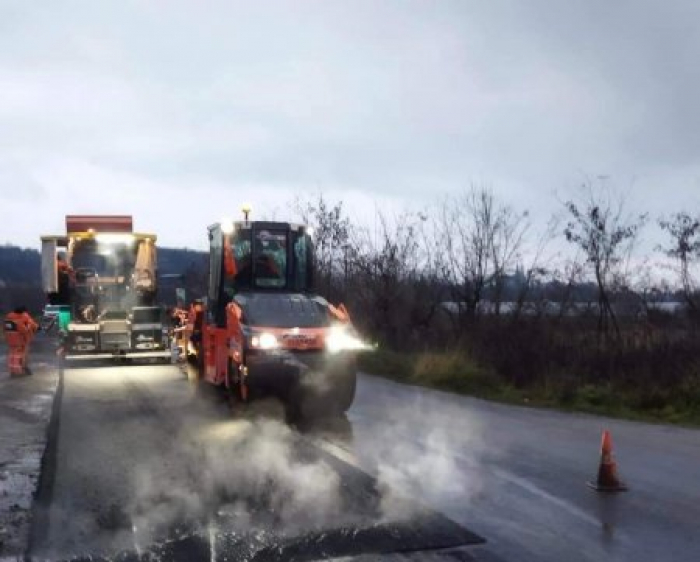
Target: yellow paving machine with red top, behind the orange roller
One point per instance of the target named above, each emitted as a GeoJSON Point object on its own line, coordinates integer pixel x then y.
{"type": "Point", "coordinates": [102, 276]}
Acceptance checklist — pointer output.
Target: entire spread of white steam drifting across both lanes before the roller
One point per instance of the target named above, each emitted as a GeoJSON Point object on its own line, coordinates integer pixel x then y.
{"type": "Point", "coordinates": [257, 479]}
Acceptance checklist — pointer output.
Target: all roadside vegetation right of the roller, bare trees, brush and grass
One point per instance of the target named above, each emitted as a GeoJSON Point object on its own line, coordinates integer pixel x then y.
{"type": "Point", "coordinates": [470, 297]}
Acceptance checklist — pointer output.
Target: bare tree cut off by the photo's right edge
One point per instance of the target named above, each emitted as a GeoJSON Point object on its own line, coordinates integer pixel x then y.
{"type": "Point", "coordinates": [684, 248]}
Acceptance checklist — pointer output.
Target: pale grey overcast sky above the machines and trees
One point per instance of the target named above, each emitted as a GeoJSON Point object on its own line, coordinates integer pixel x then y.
{"type": "Point", "coordinates": [178, 112]}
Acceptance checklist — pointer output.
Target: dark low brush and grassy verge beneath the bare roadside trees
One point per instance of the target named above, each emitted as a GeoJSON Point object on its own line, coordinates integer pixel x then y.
{"type": "Point", "coordinates": [657, 383]}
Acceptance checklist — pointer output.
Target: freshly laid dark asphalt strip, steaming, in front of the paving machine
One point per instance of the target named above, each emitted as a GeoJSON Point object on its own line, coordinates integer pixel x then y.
{"type": "Point", "coordinates": [144, 469]}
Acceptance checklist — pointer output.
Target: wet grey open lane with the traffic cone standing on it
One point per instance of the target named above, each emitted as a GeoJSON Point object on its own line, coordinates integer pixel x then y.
{"type": "Point", "coordinates": [518, 475]}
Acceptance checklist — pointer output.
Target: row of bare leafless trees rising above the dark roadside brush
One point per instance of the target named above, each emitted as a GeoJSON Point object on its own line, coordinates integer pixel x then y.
{"type": "Point", "coordinates": [445, 263]}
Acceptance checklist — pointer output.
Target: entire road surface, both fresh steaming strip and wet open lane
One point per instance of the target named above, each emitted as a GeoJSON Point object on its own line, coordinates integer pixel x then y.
{"type": "Point", "coordinates": [141, 461]}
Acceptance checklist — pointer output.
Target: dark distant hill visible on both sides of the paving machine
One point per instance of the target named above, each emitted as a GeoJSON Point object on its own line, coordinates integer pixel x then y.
{"type": "Point", "coordinates": [20, 275]}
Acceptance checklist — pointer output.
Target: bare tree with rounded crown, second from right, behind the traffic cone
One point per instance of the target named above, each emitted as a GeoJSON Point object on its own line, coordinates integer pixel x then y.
{"type": "Point", "coordinates": [599, 227]}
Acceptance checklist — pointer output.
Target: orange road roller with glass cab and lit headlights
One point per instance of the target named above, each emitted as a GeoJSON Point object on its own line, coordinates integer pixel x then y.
{"type": "Point", "coordinates": [263, 331]}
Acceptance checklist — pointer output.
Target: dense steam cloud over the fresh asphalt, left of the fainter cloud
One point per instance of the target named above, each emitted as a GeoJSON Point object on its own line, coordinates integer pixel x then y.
{"type": "Point", "coordinates": [248, 474]}
